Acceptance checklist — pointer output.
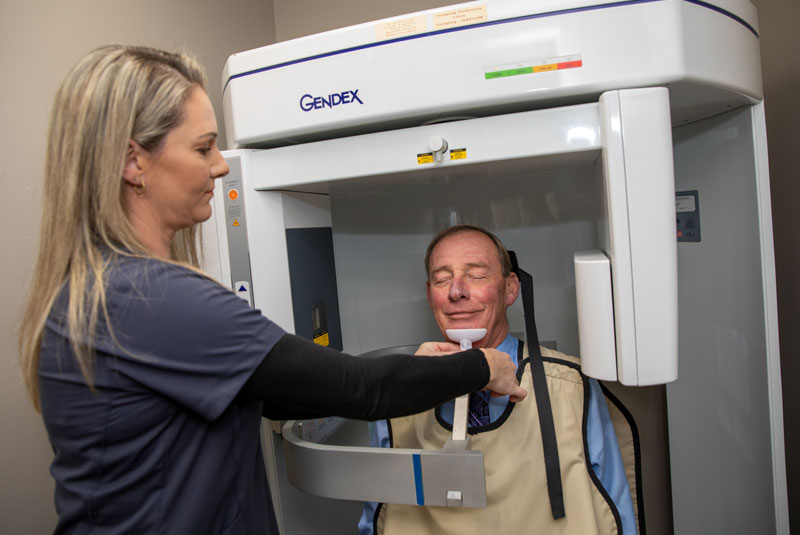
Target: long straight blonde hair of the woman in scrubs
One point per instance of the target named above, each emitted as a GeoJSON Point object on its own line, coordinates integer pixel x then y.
{"type": "Point", "coordinates": [113, 95]}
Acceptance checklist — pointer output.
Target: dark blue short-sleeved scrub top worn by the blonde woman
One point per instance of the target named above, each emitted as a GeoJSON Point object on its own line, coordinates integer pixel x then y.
{"type": "Point", "coordinates": [163, 445]}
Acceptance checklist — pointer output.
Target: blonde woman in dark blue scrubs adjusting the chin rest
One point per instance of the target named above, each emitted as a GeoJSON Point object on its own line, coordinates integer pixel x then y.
{"type": "Point", "coordinates": [150, 377]}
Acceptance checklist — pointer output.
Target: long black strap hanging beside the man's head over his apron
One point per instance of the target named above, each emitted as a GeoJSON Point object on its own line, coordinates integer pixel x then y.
{"type": "Point", "coordinates": [546, 425]}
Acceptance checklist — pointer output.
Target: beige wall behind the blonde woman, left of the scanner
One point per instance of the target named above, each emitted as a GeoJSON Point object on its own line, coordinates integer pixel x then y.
{"type": "Point", "coordinates": [39, 41]}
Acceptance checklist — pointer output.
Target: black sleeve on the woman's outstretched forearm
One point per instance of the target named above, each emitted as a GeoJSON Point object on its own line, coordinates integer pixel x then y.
{"type": "Point", "coordinates": [300, 379]}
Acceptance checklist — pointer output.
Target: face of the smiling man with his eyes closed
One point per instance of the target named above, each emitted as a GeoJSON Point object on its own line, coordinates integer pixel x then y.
{"type": "Point", "coordinates": [467, 289]}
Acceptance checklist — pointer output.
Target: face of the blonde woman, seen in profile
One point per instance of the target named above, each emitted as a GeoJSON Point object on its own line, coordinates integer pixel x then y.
{"type": "Point", "coordinates": [179, 177]}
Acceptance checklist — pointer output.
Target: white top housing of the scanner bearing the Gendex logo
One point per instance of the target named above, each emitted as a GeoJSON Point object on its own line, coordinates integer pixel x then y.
{"type": "Point", "coordinates": [439, 64]}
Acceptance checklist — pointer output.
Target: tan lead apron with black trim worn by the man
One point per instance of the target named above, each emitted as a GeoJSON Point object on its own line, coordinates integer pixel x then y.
{"type": "Point", "coordinates": [517, 501]}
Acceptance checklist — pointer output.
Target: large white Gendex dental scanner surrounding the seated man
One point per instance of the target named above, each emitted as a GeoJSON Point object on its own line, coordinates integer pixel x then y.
{"type": "Point", "coordinates": [580, 132]}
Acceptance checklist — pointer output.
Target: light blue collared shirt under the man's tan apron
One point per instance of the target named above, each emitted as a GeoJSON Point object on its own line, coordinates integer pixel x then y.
{"type": "Point", "coordinates": [604, 451]}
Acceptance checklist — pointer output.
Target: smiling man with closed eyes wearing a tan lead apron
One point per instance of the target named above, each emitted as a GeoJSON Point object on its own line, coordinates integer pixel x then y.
{"type": "Point", "coordinates": [470, 285]}
